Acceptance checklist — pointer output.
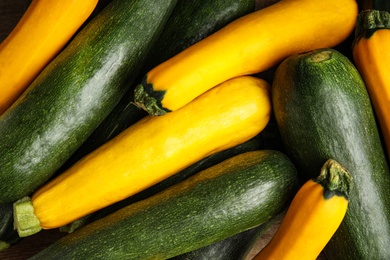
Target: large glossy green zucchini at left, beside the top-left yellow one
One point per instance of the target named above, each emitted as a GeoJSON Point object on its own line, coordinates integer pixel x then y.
{"type": "Point", "coordinates": [75, 92]}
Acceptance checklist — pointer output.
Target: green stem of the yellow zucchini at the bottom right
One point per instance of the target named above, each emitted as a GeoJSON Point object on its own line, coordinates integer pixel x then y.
{"type": "Point", "coordinates": [335, 179]}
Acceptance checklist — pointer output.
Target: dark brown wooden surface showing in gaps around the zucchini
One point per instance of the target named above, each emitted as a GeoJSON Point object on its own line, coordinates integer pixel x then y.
{"type": "Point", "coordinates": [10, 13]}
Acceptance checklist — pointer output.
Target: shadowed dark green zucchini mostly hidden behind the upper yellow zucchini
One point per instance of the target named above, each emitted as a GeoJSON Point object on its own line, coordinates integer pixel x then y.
{"type": "Point", "coordinates": [191, 21]}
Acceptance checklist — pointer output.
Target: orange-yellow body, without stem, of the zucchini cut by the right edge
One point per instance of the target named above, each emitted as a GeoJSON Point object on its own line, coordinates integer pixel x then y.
{"type": "Point", "coordinates": [372, 59]}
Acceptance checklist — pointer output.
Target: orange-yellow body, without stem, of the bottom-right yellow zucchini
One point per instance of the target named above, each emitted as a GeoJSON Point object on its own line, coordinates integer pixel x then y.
{"type": "Point", "coordinates": [307, 227]}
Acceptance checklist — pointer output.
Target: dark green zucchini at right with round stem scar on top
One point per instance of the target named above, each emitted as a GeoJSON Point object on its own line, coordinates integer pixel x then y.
{"type": "Point", "coordinates": [324, 112]}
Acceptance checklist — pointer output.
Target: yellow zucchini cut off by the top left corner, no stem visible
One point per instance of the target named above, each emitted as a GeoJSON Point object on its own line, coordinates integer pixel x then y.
{"type": "Point", "coordinates": [42, 32]}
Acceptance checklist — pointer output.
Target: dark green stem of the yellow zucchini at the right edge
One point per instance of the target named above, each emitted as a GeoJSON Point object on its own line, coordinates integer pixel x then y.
{"type": "Point", "coordinates": [369, 21]}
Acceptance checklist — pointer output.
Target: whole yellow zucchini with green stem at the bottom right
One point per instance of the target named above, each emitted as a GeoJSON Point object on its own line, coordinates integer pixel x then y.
{"type": "Point", "coordinates": [314, 215]}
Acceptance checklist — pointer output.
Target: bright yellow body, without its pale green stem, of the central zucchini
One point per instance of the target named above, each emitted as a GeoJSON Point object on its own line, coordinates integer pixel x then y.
{"type": "Point", "coordinates": [156, 148]}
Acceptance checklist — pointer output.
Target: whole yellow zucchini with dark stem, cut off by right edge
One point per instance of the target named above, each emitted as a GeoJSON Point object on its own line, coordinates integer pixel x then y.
{"type": "Point", "coordinates": [372, 61]}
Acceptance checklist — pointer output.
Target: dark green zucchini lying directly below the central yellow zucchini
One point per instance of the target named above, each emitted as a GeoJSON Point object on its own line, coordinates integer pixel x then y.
{"type": "Point", "coordinates": [235, 195]}
